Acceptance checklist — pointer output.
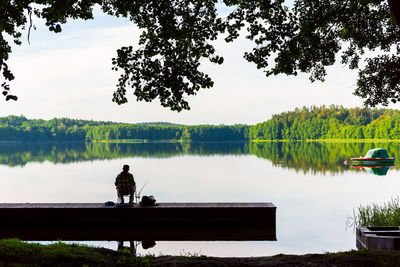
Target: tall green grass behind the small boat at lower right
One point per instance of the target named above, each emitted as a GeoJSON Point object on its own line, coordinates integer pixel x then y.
{"type": "Point", "coordinates": [387, 214]}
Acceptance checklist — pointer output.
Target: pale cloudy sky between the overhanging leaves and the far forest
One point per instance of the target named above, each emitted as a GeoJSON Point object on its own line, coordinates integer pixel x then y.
{"type": "Point", "coordinates": [69, 75]}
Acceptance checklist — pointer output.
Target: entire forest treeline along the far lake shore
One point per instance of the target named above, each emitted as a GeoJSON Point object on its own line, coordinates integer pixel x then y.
{"type": "Point", "coordinates": [325, 122]}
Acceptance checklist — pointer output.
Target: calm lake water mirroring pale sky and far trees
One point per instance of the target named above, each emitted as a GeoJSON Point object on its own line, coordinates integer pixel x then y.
{"type": "Point", "coordinates": [313, 190]}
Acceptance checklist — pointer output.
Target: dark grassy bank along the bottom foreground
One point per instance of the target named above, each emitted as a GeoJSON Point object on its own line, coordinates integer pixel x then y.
{"type": "Point", "coordinates": [16, 253]}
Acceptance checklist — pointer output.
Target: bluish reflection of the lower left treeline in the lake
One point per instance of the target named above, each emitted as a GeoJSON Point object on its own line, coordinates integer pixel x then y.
{"type": "Point", "coordinates": [19, 154]}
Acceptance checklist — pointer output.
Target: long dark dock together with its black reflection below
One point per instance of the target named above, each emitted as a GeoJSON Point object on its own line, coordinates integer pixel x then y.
{"type": "Point", "coordinates": [167, 221]}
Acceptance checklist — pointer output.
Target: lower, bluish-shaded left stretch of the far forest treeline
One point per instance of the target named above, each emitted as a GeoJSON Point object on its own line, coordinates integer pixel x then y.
{"type": "Point", "coordinates": [19, 128]}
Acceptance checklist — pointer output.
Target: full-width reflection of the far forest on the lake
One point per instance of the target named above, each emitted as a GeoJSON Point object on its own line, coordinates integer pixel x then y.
{"type": "Point", "coordinates": [304, 157]}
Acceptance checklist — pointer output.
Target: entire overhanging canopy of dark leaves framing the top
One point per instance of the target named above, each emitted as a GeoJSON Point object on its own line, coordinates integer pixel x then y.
{"type": "Point", "coordinates": [177, 35]}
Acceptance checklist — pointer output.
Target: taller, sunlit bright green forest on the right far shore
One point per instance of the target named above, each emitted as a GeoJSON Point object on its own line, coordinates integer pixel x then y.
{"type": "Point", "coordinates": [333, 122]}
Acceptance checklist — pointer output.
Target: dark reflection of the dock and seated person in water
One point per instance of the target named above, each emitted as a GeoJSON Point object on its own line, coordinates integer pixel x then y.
{"type": "Point", "coordinates": [146, 237]}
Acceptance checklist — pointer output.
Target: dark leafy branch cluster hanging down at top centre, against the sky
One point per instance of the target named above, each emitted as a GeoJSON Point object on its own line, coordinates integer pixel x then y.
{"type": "Point", "coordinates": [175, 39]}
